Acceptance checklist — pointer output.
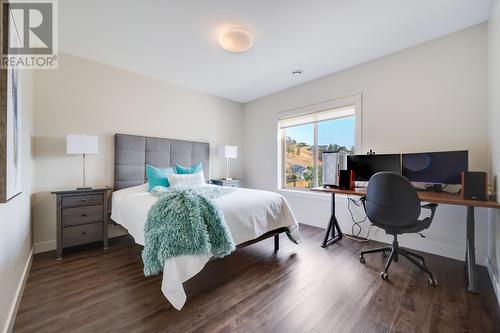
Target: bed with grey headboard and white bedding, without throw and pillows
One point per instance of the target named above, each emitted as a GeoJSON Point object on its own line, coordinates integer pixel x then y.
{"type": "Point", "coordinates": [251, 215]}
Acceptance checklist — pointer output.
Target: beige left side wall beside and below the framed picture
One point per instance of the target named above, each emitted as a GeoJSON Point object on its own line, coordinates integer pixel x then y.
{"type": "Point", "coordinates": [15, 215]}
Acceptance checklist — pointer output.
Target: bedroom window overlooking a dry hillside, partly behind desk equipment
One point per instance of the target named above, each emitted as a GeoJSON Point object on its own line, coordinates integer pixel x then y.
{"type": "Point", "coordinates": [304, 139]}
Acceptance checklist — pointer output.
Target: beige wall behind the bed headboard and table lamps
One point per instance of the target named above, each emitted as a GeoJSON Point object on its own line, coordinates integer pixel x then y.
{"type": "Point", "coordinates": [87, 97]}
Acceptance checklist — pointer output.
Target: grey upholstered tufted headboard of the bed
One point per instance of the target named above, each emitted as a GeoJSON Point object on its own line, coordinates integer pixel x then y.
{"type": "Point", "coordinates": [132, 153]}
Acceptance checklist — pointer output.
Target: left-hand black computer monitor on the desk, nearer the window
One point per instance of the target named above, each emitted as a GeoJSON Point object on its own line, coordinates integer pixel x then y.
{"type": "Point", "coordinates": [365, 166]}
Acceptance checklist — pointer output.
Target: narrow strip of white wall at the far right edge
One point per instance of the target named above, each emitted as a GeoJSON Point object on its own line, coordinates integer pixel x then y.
{"type": "Point", "coordinates": [494, 137]}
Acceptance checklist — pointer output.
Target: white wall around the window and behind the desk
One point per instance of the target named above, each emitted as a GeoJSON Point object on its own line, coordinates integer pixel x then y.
{"type": "Point", "coordinates": [425, 98]}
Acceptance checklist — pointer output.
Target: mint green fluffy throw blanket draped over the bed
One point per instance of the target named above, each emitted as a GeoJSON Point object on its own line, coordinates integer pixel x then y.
{"type": "Point", "coordinates": [184, 222]}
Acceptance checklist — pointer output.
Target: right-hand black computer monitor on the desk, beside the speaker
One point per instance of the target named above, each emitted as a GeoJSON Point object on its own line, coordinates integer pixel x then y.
{"type": "Point", "coordinates": [436, 167]}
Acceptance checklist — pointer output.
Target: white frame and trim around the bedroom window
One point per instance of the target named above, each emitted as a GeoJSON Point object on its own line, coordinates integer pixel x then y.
{"type": "Point", "coordinates": [354, 101]}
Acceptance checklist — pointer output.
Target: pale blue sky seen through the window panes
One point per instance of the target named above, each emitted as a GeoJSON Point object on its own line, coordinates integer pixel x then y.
{"type": "Point", "coordinates": [336, 131]}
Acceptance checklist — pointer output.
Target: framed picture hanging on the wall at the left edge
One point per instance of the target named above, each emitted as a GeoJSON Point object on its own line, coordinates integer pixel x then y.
{"type": "Point", "coordinates": [10, 124]}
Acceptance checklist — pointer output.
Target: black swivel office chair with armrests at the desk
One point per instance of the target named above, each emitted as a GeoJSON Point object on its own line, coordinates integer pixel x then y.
{"type": "Point", "coordinates": [392, 203]}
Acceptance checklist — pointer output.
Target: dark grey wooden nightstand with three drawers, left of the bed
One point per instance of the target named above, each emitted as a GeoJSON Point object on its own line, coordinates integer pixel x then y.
{"type": "Point", "coordinates": [82, 217]}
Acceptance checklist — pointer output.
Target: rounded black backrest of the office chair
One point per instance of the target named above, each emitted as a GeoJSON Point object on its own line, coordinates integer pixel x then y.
{"type": "Point", "coordinates": [391, 201]}
